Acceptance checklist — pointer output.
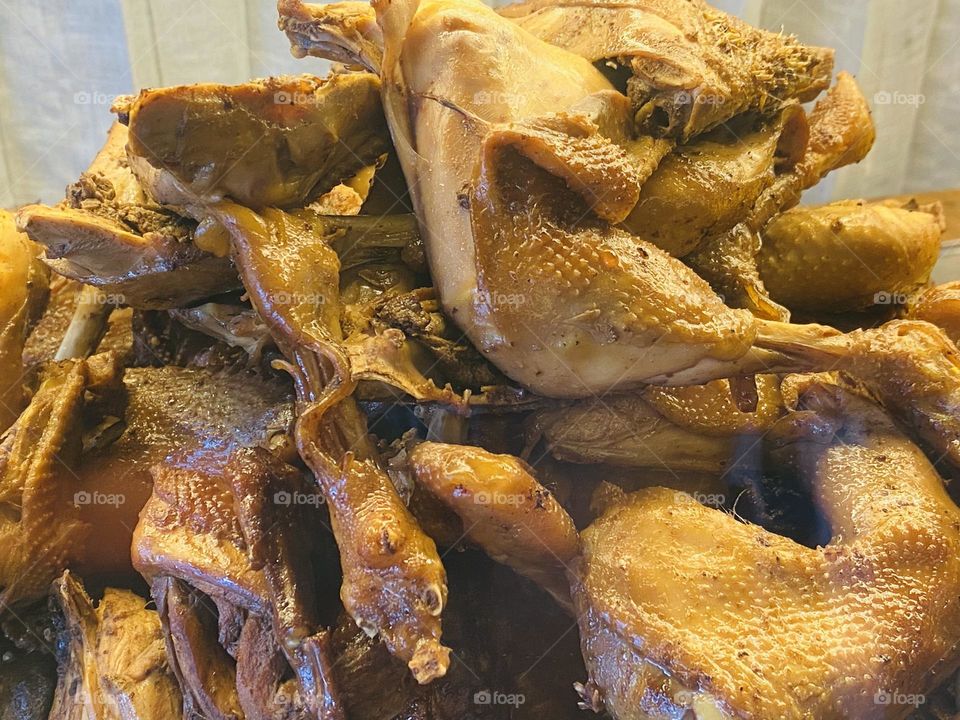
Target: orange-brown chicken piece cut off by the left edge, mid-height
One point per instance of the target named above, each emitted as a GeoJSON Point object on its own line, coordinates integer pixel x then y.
{"type": "Point", "coordinates": [25, 283]}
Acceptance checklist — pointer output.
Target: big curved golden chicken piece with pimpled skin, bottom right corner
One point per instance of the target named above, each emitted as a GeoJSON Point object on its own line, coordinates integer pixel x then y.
{"type": "Point", "coordinates": [749, 624]}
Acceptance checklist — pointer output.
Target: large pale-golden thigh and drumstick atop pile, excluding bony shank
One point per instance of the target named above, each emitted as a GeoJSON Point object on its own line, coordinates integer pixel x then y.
{"type": "Point", "coordinates": [522, 251]}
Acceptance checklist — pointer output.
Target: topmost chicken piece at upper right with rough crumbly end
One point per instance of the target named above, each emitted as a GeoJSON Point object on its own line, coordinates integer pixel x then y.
{"type": "Point", "coordinates": [693, 66]}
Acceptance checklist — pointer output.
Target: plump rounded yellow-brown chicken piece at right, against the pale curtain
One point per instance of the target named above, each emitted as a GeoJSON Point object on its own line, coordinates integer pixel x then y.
{"type": "Point", "coordinates": [849, 255]}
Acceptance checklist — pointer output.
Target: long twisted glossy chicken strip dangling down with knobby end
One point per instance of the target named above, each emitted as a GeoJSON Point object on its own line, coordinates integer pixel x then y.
{"type": "Point", "coordinates": [393, 582]}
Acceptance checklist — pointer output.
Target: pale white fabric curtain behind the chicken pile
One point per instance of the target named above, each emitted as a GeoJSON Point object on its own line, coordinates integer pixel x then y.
{"type": "Point", "coordinates": [62, 62]}
